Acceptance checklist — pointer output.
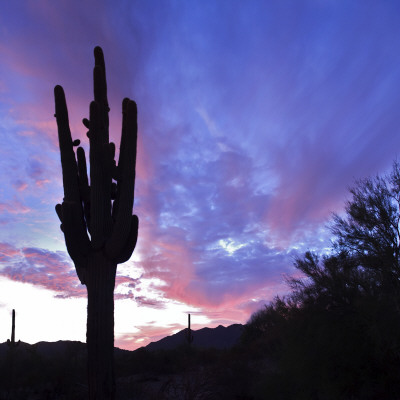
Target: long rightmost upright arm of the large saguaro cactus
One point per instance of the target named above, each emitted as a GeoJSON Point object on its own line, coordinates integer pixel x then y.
{"type": "Point", "coordinates": [122, 207]}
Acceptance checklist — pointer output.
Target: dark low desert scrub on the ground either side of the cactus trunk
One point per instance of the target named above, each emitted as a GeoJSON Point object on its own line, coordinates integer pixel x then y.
{"type": "Point", "coordinates": [182, 373]}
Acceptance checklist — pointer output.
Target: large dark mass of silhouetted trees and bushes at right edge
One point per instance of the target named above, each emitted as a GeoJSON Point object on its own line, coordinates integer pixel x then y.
{"type": "Point", "coordinates": [336, 336]}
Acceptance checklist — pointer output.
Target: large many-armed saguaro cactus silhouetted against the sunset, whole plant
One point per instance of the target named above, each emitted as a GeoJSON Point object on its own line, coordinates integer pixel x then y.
{"type": "Point", "coordinates": [96, 217]}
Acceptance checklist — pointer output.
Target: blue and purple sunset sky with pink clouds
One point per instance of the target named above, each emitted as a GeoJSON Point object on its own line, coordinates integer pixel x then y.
{"type": "Point", "coordinates": [255, 118]}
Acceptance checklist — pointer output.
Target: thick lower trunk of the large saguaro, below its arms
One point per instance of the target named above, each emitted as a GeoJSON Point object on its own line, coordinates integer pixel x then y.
{"type": "Point", "coordinates": [100, 279]}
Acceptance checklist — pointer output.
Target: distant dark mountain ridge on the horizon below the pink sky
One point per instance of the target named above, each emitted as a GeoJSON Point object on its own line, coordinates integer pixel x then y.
{"type": "Point", "coordinates": [220, 337]}
